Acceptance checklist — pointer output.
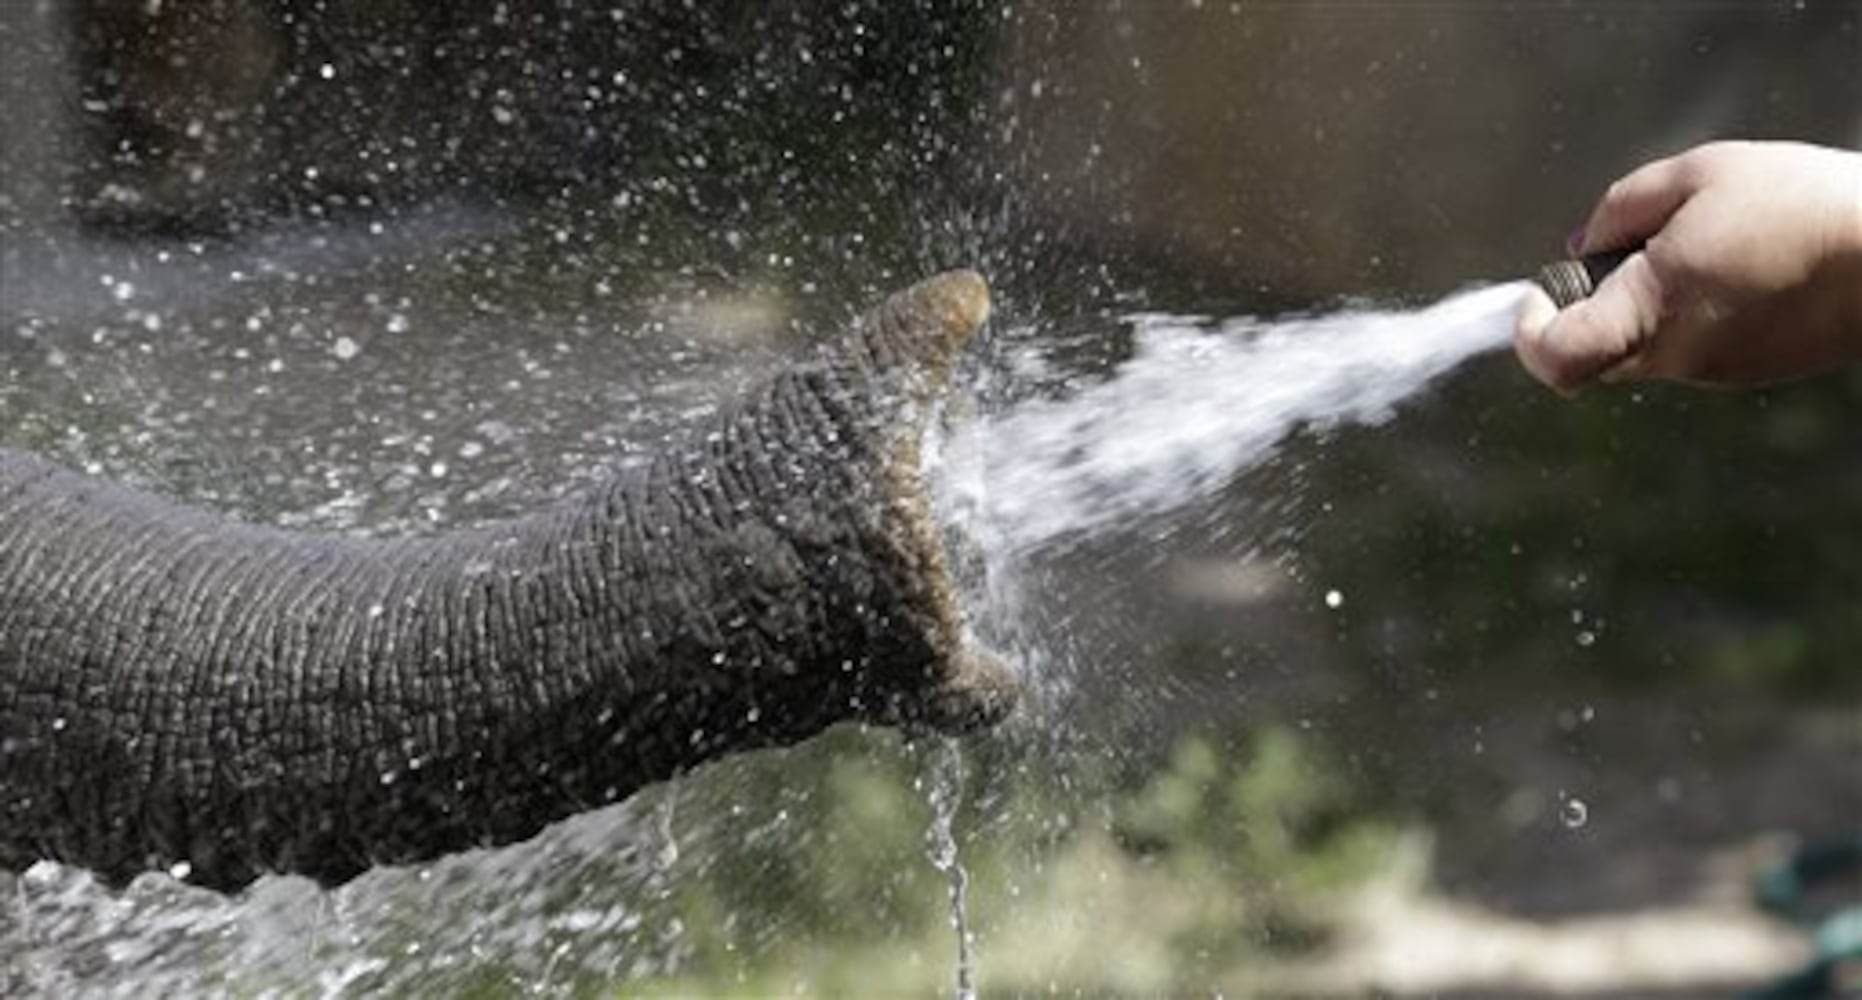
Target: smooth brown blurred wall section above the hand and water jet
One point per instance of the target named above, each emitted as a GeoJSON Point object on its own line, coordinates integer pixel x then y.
{"type": "Point", "coordinates": [1394, 148]}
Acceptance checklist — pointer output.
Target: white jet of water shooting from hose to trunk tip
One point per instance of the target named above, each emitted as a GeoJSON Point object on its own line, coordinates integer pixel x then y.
{"type": "Point", "coordinates": [1198, 405]}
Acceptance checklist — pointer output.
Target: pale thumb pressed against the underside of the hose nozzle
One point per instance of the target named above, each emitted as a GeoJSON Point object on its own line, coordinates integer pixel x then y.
{"type": "Point", "coordinates": [1600, 332]}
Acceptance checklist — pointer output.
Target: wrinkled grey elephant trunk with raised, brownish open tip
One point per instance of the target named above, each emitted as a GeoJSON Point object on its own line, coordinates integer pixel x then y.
{"type": "Point", "coordinates": [178, 686]}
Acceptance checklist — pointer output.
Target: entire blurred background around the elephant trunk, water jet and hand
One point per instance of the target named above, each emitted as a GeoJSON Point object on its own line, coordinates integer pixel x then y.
{"type": "Point", "coordinates": [394, 265]}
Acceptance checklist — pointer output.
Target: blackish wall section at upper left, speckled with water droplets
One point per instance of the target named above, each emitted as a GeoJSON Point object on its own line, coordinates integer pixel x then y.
{"type": "Point", "coordinates": [208, 113]}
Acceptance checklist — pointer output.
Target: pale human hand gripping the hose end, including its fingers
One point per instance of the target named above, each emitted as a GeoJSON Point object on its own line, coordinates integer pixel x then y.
{"type": "Point", "coordinates": [1751, 273]}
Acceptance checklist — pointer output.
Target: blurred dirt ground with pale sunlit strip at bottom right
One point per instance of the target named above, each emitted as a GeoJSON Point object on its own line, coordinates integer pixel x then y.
{"type": "Point", "coordinates": [1651, 893]}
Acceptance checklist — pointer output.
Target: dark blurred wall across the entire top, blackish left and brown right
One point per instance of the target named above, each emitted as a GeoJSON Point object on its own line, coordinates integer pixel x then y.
{"type": "Point", "coordinates": [1306, 150]}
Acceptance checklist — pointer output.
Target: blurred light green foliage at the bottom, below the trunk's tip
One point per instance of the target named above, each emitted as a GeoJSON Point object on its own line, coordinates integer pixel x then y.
{"type": "Point", "coordinates": [1215, 865]}
